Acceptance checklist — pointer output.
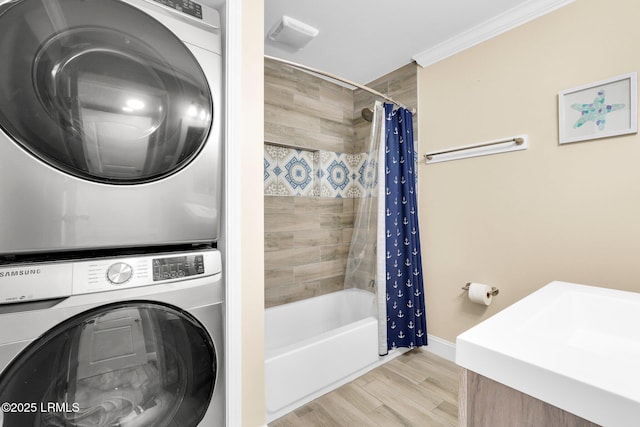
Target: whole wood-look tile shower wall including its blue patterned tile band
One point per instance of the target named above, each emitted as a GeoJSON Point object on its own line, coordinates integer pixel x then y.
{"type": "Point", "coordinates": [313, 136]}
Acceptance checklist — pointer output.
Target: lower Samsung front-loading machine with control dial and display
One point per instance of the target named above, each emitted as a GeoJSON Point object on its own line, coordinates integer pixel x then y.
{"type": "Point", "coordinates": [126, 341]}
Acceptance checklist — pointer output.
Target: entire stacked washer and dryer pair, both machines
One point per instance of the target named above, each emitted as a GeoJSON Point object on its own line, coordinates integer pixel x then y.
{"type": "Point", "coordinates": [111, 289]}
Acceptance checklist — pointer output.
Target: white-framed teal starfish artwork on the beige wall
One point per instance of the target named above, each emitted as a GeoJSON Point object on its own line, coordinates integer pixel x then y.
{"type": "Point", "coordinates": [599, 110]}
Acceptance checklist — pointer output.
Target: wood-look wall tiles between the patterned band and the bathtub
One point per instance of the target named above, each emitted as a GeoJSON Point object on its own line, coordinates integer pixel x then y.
{"type": "Point", "coordinates": [306, 246]}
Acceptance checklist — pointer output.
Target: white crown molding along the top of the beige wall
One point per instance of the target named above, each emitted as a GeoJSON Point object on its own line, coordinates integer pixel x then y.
{"type": "Point", "coordinates": [502, 23]}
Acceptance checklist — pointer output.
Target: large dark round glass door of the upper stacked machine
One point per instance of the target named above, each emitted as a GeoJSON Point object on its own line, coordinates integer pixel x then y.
{"type": "Point", "coordinates": [100, 90]}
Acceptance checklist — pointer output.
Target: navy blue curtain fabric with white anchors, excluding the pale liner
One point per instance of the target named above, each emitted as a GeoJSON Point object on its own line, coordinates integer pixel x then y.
{"type": "Point", "coordinates": [406, 318]}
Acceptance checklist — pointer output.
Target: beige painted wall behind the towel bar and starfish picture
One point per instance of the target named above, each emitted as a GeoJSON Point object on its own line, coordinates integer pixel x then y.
{"type": "Point", "coordinates": [520, 220]}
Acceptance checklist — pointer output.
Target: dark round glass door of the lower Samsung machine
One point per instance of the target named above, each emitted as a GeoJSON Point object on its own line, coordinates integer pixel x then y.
{"type": "Point", "coordinates": [127, 364]}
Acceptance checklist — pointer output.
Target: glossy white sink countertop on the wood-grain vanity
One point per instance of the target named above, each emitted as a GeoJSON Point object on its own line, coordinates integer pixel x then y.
{"type": "Point", "coordinates": [576, 347]}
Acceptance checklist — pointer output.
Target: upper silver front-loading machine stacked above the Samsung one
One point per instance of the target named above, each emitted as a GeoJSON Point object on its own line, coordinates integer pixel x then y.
{"type": "Point", "coordinates": [110, 124]}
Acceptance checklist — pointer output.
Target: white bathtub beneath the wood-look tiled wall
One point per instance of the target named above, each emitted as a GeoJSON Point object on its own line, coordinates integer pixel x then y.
{"type": "Point", "coordinates": [315, 345]}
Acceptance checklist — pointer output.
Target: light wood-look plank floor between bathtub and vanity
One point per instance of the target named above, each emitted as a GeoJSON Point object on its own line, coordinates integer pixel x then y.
{"type": "Point", "coordinates": [417, 389]}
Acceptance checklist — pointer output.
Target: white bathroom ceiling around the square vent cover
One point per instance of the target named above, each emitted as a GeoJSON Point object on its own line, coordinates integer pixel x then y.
{"type": "Point", "coordinates": [362, 40]}
